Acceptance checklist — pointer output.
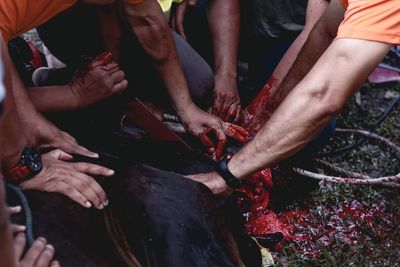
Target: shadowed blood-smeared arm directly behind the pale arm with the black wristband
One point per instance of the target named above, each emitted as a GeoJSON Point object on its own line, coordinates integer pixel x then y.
{"type": "Point", "coordinates": [318, 41]}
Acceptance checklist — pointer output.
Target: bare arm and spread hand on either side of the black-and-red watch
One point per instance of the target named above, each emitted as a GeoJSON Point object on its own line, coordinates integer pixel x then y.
{"type": "Point", "coordinates": [58, 175]}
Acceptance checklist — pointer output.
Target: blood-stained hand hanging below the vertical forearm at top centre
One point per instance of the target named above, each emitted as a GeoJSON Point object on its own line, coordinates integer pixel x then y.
{"type": "Point", "coordinates": [226, 103]}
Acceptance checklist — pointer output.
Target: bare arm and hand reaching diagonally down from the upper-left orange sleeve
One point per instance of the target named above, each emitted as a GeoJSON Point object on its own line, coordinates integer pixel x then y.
{"type": "Point", "coordinates": [151, 29]}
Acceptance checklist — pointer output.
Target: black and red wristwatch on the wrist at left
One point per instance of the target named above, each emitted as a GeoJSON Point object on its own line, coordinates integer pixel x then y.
{"type": "Point", "coordinates": [29, 164]}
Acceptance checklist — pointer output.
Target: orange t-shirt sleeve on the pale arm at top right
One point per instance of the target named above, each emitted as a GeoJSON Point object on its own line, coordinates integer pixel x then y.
{"type": "Point", "coordinates": [374, 20]}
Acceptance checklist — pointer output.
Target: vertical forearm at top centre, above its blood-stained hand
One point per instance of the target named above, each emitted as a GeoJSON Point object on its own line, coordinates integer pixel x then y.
{"type": "Point", "coordinates": [224, 21]}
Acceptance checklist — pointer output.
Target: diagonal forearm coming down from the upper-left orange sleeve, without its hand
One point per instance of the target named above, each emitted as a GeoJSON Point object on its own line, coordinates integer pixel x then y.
{"type": "Point", "coordinates": [151, 29]}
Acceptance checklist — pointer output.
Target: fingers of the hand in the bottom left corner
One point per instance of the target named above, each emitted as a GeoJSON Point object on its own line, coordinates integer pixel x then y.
{"type": "Point", "coordinates": [40, 254]}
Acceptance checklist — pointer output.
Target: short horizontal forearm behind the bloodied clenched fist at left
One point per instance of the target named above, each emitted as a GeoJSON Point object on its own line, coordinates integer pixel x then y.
{"type": "Point", "coordinates": [53, 98]}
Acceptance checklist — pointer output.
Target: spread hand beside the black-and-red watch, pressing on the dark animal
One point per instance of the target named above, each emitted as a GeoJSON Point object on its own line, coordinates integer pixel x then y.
{"type": "Point", "coordinates": [70, 179]}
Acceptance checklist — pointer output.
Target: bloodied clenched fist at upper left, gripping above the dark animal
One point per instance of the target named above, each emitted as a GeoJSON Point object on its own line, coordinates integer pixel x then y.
{"type": "Point", "coordinates": [97, 81]}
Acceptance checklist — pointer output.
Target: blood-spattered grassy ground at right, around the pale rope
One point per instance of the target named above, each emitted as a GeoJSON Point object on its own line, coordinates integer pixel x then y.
{"type": "Point", "coordinates": [353, 225]}
